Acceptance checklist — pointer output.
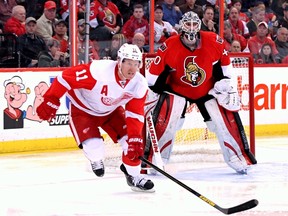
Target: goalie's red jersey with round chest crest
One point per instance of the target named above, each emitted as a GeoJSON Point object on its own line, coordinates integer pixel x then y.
{"type": "Point", "coordinates": [192, 76]}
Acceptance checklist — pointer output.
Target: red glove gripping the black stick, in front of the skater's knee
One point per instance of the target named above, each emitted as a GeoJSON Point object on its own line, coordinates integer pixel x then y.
{"type": "Point", "coordinates": [135, 148]}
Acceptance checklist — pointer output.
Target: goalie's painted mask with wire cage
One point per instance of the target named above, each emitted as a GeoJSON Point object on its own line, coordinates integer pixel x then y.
{"type": "Point", "coordinates": [190, 25]}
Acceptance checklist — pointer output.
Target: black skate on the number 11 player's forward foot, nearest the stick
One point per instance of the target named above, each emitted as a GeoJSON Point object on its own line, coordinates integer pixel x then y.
{"type": "Point", "coordinates": [138, 183]}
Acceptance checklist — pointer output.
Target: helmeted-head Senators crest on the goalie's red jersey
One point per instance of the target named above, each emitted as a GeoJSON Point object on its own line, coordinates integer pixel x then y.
{"type": "Point", "coordinates": [194, 75]}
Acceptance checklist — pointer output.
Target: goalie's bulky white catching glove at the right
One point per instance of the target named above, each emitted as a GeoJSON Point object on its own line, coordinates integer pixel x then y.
{"type": "Point", "coordinates": [226, 96]}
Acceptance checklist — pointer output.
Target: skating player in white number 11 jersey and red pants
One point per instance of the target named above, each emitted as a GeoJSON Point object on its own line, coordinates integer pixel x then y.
{"type": "Point", "coordinates": [109, 95]}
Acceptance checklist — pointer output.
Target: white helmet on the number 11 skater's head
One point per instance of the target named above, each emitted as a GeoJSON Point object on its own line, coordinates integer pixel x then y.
{"type": "Point", "coordinates": [130, 51]}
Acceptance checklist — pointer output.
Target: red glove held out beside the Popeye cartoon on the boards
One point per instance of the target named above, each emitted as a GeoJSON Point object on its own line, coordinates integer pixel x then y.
{"type": "Point", "coordinates": [48, 108]}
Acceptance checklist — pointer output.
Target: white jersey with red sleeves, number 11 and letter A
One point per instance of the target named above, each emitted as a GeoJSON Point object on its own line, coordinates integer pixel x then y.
{"type": "Point", "coordinates": [97, 89]}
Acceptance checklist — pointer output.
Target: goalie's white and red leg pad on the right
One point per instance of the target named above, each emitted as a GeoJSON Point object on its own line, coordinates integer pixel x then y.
{"type": "Point", "coordinates": [223, 124]}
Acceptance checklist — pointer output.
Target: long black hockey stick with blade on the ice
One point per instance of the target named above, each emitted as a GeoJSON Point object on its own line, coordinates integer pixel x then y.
{"type": "Point", "coordinates": [242, 207]}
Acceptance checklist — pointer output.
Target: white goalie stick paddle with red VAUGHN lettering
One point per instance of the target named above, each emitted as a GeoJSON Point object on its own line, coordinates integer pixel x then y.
{"type": "Point", "coordinates": [154, 141]}
